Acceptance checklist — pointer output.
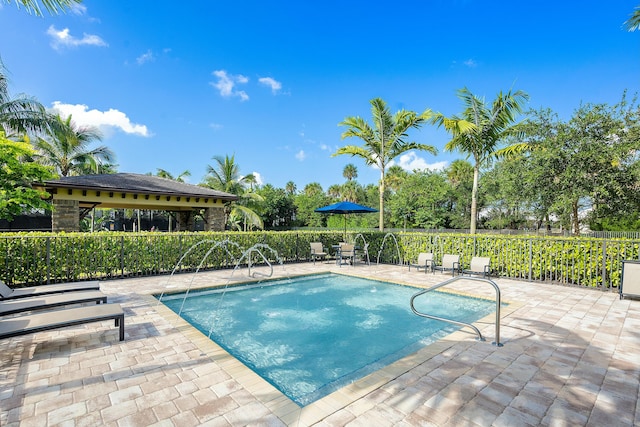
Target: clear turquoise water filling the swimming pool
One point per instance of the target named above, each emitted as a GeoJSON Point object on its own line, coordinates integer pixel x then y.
{"type": "Point", "coordinates": [311, 335]}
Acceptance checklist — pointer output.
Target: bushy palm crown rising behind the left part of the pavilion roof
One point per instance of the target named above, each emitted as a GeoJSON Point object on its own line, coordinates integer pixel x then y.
{"type": "Point", "coordinates": [65, 147]}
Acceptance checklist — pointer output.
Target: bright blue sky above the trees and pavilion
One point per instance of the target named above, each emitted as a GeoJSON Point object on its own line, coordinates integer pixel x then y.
{"type": "Point", "coordinates": [172, 86]}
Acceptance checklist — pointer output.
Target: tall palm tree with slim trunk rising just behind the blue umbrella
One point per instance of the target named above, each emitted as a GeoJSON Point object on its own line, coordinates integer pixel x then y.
{"type": "Point", "coordinates": [385, 141]}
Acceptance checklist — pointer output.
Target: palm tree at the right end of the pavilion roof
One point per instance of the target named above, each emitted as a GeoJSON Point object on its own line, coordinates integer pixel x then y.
{"type": "Point", "coordinates": [226, 177]}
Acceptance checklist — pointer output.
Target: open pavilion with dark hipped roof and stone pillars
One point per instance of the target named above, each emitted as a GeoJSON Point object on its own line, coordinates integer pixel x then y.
{"type": "Point", "coordinates": [73, 197]}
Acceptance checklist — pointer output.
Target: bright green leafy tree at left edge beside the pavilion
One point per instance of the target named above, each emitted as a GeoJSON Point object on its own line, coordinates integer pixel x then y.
{"type": "Point", "coordinates": [17, 173]}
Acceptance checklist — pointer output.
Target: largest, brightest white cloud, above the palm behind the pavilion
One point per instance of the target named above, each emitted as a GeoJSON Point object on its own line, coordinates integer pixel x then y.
{"type": "Point", "coordinates": [106, 121]}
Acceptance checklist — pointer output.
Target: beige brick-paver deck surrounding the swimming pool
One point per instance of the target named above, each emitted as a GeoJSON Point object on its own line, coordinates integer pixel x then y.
{"type": "Point", "coordinates": [570, 357]}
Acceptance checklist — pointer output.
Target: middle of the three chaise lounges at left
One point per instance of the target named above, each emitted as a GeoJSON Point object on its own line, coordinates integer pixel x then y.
{"type": "Point", "coordinates": [20, 305]}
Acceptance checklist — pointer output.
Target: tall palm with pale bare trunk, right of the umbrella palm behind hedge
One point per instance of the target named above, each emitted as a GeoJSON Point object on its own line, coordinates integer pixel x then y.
{"type": "Point", "coordinates": [479, 130]}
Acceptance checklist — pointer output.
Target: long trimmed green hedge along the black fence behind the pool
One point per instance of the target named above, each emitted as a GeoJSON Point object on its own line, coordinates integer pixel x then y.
{"type": "Point", "coordinates": [35, 258]}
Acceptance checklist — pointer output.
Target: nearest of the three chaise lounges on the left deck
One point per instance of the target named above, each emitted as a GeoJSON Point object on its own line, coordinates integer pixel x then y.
{"type": "Point", "coordinates": [32, 323]}
